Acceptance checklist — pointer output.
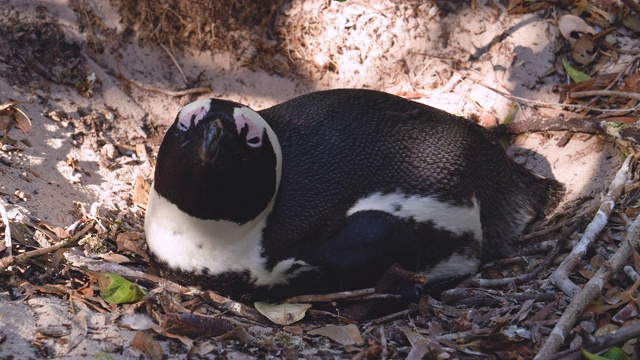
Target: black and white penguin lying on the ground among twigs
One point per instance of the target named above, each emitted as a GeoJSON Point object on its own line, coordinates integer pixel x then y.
{"type": "Point", "coordinates": [324, 192]}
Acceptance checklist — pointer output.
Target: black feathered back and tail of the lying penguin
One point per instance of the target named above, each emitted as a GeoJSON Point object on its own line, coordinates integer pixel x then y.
{"type": "Point", "coordinates": [342, 145]}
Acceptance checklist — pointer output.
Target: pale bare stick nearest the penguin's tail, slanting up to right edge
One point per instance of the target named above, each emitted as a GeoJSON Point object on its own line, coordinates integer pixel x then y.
{"type": "Point", "coordinates": [560, 277]}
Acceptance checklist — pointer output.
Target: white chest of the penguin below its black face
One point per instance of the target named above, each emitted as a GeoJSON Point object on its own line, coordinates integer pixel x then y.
{"type": "Point", "coordinates": [195, 245]}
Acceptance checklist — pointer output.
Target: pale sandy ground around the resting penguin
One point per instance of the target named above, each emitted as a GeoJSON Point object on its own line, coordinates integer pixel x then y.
{"type": "Point", "coordinates": [395, 48]}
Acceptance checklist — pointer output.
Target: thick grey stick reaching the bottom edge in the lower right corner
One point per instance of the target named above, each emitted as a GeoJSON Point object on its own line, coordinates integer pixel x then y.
{"type": "Point", "coordinates": [590, 290]}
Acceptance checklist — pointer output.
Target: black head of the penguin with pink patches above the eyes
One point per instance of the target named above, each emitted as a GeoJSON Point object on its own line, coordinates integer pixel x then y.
{"type": "Point", "coordinates": [219, 160]}
